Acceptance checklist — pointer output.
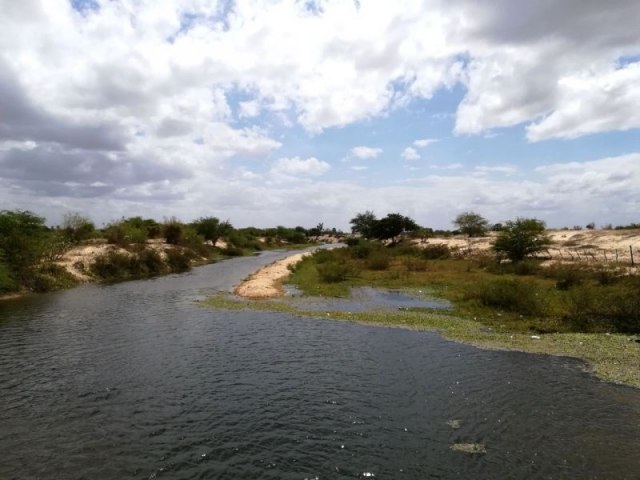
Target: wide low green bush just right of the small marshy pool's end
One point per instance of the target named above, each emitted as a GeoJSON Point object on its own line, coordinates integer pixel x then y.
{"type": "Point", "coordinates": [509, 294]}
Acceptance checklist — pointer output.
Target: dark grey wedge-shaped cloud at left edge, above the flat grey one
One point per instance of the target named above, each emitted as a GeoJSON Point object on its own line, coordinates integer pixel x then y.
{"type": "Point", "coordinates": [22, 120]}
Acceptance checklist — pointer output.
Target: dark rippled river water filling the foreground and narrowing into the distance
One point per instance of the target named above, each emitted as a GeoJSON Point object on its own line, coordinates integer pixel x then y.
{"type": "Point", "coordinates": [135, 380]}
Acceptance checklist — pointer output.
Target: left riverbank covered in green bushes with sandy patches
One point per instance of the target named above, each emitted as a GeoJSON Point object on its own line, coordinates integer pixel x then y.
{"type": "Point", "coordinates": [30, 250]}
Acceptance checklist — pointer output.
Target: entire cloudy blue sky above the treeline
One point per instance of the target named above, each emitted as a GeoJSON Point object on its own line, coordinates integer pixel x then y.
{"type": "Point", "coordinates": [285, 112]}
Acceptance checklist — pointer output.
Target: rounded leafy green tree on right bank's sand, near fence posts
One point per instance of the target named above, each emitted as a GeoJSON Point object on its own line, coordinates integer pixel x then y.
{"type": "Point", "coordinates": [522, 237]}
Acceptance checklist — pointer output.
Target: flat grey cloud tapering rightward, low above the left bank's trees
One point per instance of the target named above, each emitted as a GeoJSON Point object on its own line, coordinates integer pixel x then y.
{"type": "Point", "coordinates": [53, 171]}
